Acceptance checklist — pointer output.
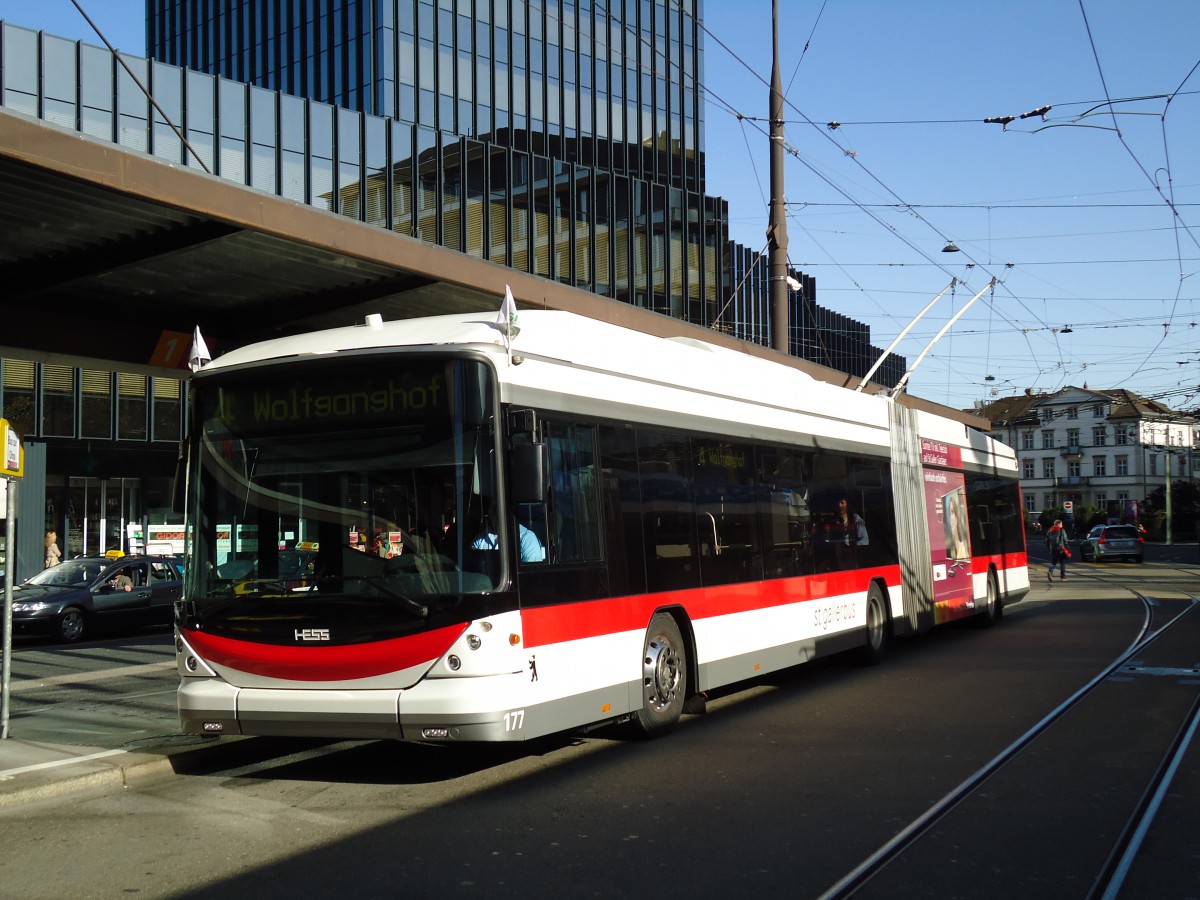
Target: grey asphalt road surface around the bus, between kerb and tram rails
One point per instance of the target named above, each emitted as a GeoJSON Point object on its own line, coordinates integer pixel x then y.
{"type": "Point", "coordinates": [784, 788]}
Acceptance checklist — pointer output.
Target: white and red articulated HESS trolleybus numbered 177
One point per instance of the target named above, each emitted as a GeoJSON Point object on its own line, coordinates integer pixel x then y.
{"type": "Point", "coordinates": [447, 530]}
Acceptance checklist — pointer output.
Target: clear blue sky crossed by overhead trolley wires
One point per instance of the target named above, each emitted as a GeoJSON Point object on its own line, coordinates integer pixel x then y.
{"type": "Point", "coordinates": [1065, 213]}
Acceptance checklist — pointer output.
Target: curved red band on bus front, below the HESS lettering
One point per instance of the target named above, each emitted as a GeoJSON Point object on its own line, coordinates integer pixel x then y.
{"type": "Point", "coordinates": [310, 663]}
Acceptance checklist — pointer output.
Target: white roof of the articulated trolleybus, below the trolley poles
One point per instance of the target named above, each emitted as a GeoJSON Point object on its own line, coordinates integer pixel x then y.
{"type": "Point", "coordinates": [578, 356]}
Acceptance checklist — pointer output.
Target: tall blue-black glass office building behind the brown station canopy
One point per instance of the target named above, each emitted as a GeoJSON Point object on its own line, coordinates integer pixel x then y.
{"type": "Point", "coordinates": [561, 139]}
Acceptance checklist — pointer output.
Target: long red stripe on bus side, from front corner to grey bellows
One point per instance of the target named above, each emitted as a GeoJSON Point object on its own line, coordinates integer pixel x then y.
{"type": "Point", "coordinates": [593, 619]}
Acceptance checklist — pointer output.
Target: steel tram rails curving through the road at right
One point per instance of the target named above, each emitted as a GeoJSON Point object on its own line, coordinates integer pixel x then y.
{"type": "Point", "coordinates": [1111, 877]}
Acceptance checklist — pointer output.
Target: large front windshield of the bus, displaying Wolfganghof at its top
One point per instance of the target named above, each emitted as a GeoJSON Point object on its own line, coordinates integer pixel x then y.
{"type": "Point", "coordinates": [341, 481]}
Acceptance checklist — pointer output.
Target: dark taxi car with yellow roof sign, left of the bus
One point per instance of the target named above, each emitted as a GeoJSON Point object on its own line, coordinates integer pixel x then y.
{"type": "Point", "coordinates": [73, 598]}
